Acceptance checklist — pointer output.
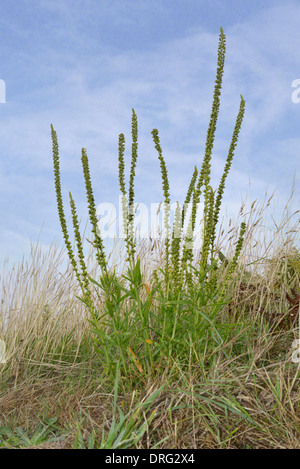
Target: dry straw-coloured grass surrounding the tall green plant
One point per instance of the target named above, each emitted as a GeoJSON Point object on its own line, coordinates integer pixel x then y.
{"type": "Point", "coordinates": [244, 394]}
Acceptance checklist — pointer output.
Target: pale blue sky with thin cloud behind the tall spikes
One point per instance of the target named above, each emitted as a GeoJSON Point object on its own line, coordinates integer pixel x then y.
{"type": "Point", "coordinates": [82, 65]}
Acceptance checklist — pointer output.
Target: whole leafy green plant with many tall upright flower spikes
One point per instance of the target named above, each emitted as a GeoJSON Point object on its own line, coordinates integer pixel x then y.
{"type": "Point", "coordinates": [138, 325]}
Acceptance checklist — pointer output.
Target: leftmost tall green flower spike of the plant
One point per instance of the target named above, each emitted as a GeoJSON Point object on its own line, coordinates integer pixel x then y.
{"type": "Point", "coordinates": [61, 214]}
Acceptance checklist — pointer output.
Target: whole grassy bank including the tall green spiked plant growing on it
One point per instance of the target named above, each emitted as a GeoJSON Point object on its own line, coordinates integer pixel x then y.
{"type": "Point", "coordinates": [161, 344]}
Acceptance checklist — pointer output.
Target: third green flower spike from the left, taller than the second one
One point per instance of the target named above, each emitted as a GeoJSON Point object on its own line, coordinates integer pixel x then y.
{"type": "Point", "coordinates": [98, 243]}
